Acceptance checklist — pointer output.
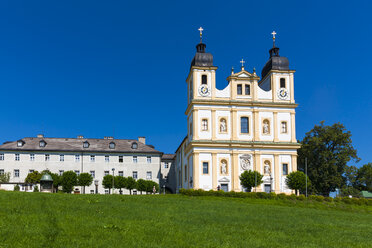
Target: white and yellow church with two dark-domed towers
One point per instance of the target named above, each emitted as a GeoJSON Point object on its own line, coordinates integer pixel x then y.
{"type": "Point", "coordinates": [248, 125]}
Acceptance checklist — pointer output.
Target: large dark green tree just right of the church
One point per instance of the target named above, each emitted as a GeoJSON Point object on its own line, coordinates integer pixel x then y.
{"type": "Point", "coordinates": [328, 149]}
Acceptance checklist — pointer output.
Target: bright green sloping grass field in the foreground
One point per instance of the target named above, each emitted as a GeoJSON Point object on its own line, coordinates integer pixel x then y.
{"type": "Point", "coordinates": [61, 220]}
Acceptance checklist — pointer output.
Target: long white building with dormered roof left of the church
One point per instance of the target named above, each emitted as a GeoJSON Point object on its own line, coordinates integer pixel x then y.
{"type": "Point", "coordinates": [98, 157]}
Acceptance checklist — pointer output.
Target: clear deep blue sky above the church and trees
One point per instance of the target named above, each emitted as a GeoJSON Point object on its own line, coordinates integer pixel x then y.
{"type": "Point", "coordinates": [118, 68]}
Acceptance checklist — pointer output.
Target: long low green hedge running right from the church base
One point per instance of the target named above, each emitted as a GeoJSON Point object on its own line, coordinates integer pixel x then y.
{"type": "Point", "coordinates": [272, 195]}
